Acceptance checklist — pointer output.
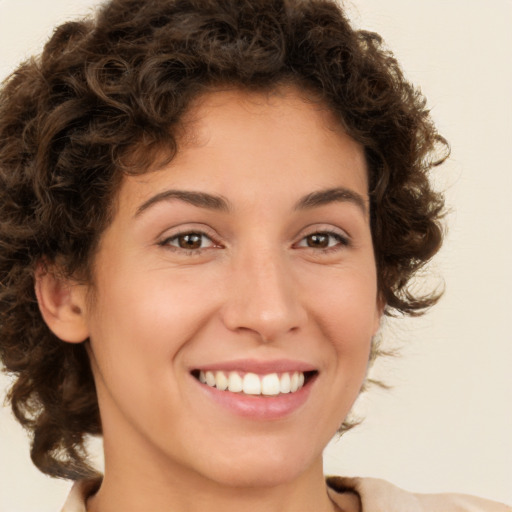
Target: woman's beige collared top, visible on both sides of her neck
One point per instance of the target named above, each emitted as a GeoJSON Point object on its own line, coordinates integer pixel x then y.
{"type": "Point", "coordinates": [374, 495]}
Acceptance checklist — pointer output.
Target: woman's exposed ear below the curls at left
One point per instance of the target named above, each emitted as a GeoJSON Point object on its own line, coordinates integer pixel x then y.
{"type": "Point", "coordinates": [62, 303]}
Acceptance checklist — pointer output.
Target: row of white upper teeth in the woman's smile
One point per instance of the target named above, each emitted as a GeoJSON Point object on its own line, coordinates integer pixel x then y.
{"type": "Point", "coordinates": [253, 384]}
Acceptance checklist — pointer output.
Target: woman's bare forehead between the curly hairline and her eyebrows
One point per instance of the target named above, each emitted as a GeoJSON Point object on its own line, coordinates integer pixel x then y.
{"type": "Point", "coordinates": [279, 142]}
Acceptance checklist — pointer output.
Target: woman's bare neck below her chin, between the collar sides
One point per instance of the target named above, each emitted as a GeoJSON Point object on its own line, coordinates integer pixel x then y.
{"type": "Point", "coordinates": [132, 483]}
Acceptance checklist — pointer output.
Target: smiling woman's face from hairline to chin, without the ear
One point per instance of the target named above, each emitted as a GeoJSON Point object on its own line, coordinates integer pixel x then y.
{"type": "Point", "coordinates": [248, 262]}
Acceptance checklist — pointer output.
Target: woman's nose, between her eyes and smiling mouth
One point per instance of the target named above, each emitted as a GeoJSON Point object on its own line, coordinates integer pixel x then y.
{"type": "Point", "coordinates": [263, 297]}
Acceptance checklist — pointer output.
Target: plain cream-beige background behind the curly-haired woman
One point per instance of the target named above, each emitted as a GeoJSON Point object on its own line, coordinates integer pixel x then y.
{"type": "Point", "coordinates": [446, 424]}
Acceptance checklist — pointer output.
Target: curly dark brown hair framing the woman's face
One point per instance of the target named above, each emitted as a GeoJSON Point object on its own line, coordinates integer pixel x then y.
{"type": "Point", "coordinates": [106, 96]}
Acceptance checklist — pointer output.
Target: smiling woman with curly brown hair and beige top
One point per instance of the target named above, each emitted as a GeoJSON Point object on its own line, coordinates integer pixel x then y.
{"type": "Point", "coordinates": [216, 203]}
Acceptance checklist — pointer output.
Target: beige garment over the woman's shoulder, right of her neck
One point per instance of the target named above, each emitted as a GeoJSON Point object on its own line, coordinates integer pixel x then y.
{"type": "Point", "coordinates": [380, 496]}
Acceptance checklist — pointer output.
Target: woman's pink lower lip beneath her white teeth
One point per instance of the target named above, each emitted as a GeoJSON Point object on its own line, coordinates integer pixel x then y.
{"type": "Point", "coordinates": [259, 407]}
